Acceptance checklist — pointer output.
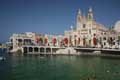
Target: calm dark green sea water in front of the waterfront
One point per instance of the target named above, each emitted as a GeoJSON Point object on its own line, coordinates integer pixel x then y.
{"type": "Point", "coordinates": [33, 67]}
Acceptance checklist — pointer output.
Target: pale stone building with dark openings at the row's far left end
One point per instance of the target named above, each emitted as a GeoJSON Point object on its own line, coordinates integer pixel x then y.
{"type": "Point", "coordinates": [19, 40]}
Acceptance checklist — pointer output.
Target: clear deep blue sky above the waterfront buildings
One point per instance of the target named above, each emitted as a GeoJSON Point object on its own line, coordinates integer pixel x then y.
{"type": "Point", "coordinates": [52, 16]}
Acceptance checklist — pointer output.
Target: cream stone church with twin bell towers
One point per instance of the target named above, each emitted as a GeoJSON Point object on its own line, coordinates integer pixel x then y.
{"type": "Point", "coordinates": [88, 32]}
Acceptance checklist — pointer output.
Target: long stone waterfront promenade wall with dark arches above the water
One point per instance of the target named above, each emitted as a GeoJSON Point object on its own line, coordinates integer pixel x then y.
{"type": "Point", "coordinates": [53, 50]}
